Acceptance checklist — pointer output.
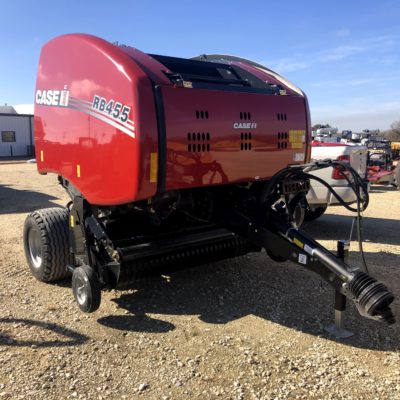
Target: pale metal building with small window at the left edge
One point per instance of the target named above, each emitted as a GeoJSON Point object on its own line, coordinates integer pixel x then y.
{"type": "Point", "coordinates": [16, 133]}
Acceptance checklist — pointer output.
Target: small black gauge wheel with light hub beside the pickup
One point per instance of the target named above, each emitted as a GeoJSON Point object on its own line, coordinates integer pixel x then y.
{"type": "Point", "coordinates": [86, 288]}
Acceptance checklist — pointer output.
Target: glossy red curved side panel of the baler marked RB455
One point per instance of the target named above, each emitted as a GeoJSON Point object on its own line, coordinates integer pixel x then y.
{"type": "Point", "coordinates": [107, 154]}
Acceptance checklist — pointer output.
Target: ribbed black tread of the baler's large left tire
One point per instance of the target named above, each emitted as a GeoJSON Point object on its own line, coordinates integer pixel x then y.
{"type": "Point", "coordinates": [53, 226]}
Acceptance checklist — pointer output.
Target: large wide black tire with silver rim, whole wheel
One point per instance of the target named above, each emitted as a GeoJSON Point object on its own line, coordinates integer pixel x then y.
{"type": "Point", "coordinates": [48, 229]}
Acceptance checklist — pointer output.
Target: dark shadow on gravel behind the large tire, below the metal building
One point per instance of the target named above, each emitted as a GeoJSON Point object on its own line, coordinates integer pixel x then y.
{"type": "Point", "coordinates": [14, 201]}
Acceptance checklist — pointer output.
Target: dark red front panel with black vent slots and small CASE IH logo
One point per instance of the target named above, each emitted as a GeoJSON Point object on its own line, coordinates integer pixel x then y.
{"type": "Point", "coordinates": [216, 149]}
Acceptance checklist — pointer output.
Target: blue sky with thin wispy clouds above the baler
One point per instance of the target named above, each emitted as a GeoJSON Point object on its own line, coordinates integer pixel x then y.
{"type": "Point", "coordinates": [344, 54]}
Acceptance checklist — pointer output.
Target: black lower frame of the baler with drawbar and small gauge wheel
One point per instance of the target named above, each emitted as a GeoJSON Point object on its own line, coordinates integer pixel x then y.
{"type": "Point", "coordinates": [272, 224]}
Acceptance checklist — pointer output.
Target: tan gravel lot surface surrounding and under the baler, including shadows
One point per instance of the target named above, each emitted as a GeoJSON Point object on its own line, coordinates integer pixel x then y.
{"type": "Point", "coordinates": [246, 328]}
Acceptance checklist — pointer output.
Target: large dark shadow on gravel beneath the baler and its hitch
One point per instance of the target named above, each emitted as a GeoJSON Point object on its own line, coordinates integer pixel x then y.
{"type": "Point", "coordinates": [222, 292]}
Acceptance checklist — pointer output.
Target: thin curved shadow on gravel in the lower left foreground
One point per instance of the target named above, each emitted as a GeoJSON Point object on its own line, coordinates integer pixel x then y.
{"type": "Point", "coordinates": [64, 337]}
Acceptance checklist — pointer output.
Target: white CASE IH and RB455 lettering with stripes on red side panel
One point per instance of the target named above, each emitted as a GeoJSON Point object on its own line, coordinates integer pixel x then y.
{"type": "Point", "coordinates": [112, 112]}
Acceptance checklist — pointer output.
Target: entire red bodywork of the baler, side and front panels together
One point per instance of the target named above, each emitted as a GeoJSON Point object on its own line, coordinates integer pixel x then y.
{"type": "Point", "coordinates": [111, 154]}
